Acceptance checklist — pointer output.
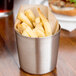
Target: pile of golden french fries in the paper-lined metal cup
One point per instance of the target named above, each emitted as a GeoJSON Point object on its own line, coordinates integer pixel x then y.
{"type": "Point", "coordinates": [31, 26]}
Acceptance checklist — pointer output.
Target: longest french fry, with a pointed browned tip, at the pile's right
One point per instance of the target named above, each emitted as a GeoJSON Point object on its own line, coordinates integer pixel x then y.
{"type": "Point", "coordinates": [46, 24]}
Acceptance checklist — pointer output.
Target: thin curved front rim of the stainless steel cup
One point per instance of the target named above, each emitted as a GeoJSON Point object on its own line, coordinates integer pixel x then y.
{"type": "Point", "coordinates": [38, 37]}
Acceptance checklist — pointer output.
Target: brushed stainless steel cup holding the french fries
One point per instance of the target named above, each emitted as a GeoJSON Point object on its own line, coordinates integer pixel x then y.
{"type": "Point", "coordinates": [38, 55]}
